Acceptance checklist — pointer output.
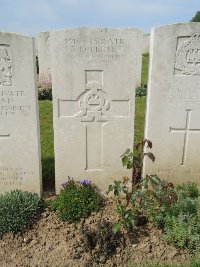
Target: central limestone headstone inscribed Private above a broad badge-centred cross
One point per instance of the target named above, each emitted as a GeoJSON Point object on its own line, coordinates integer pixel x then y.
{"type": "Point", "coordinates": [94, 75]}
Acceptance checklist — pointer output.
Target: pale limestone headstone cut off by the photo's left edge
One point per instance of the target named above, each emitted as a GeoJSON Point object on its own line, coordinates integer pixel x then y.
{"type": "Point", "coordinates": [20, 162]}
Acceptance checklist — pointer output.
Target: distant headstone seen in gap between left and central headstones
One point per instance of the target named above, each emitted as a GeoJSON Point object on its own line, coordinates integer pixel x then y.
{"type": "Point", "coordinates": [44, 58]}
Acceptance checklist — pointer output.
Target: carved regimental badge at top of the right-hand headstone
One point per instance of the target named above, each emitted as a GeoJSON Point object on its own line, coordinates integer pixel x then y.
{"type": "Point", "coordinates": [187, 60]}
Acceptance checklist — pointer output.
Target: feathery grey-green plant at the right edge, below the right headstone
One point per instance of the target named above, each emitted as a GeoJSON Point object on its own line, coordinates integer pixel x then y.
{"type": "Point", "coordinates": [182, 222]}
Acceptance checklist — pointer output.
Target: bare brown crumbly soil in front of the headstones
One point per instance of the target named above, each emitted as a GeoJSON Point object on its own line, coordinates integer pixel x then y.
{"type": "Point", "coordinates": [52, 243]}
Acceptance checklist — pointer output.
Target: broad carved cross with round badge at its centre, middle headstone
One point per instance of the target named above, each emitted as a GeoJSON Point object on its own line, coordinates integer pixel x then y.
{"type": "Point", "coordinates": [94, 109]}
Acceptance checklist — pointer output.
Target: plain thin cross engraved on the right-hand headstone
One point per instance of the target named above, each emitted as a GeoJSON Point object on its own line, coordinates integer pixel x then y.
{"type": "Point", "coordinates": [186, 130]}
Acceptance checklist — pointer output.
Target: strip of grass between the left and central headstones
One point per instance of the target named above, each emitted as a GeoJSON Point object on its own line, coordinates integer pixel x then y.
{"type": "Point", "coordinates": [47, 147]}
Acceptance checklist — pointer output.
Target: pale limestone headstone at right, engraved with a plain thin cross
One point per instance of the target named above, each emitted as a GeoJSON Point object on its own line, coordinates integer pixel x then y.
{"type": "Point", "coordinates": [173, 106]}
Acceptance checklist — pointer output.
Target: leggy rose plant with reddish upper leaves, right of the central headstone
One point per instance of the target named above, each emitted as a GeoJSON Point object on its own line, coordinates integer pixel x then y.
{"type": "Point", "coordinates": [128, 210]}
